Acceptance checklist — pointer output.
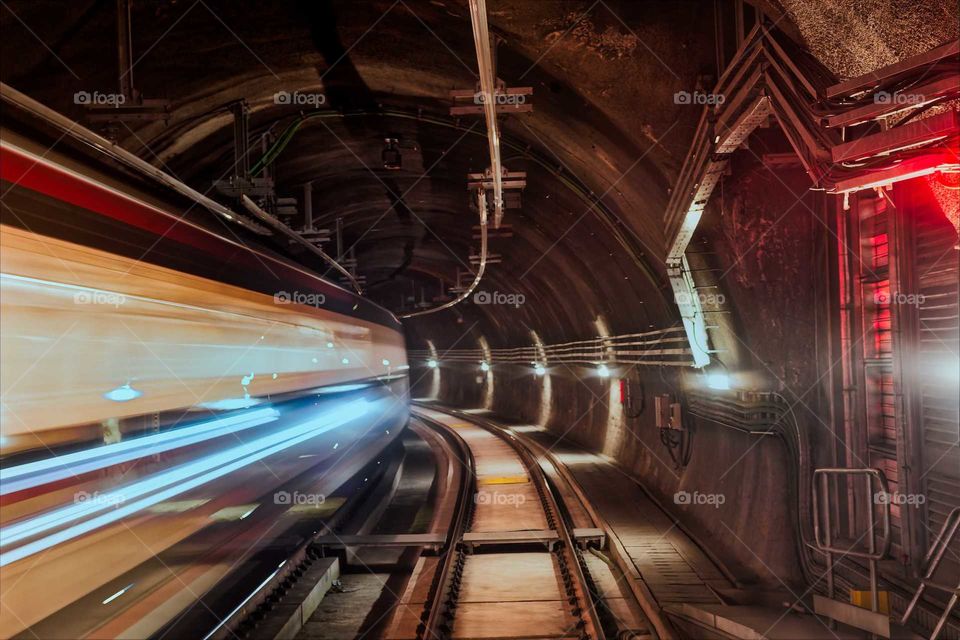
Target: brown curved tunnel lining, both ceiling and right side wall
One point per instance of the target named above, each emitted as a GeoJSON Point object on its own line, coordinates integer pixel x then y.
{"type": "Point", "coordinates": [604, 115]}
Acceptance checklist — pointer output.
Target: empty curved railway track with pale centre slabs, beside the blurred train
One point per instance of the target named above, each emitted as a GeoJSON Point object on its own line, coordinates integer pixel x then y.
{"type": "Point", "coordinates": [515, 564]}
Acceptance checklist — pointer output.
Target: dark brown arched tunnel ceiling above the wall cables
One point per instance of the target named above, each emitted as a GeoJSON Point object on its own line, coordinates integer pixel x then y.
{"type": "Point", "coordinates": [601, 147]}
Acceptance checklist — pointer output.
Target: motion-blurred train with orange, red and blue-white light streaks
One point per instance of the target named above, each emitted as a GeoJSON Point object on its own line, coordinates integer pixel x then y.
{"type": "Point", "coordinates": [161, 379]}
